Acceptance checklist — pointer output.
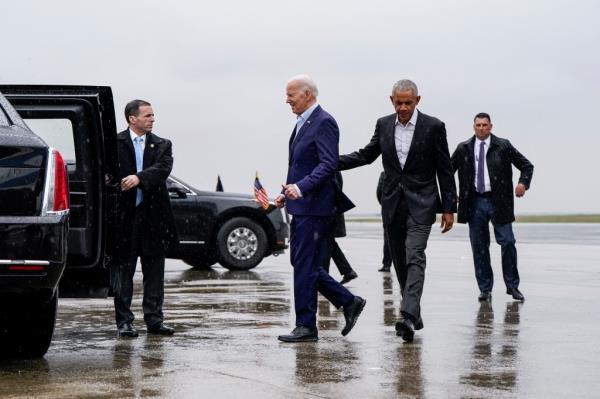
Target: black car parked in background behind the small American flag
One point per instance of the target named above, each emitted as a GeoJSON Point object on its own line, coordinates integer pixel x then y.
{"type": "Point", "coordinates": [228, 228]}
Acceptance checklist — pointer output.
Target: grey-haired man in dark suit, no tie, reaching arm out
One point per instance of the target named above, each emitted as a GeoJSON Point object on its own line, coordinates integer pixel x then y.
{"type": "Point", "coordinates": [414, 152]}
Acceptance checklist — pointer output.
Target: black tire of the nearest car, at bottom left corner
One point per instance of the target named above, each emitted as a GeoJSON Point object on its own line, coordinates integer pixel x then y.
{"type": "Point", "coordinates": [30, 328]}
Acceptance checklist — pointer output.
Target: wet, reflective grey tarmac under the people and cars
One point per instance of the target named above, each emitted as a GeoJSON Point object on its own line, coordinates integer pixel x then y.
{"type": "Point", "coordinates": [227, 325]}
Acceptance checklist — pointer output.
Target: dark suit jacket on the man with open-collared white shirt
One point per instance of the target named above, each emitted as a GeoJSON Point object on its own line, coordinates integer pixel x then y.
{"type": "Point", "coordinates": [427, 164]}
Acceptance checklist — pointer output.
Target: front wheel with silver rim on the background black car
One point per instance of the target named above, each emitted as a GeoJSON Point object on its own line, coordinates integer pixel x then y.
{"type": "Point", "coordinates": [241, 243]}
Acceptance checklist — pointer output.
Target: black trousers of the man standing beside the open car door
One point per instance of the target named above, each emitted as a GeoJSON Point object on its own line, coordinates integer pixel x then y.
{"type": "Point", "coordinates": [153, 270]}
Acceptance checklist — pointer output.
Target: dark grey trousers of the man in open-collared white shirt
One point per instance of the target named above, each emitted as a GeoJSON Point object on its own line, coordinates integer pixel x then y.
{"type": "Point", "coordinates": [408, 241]}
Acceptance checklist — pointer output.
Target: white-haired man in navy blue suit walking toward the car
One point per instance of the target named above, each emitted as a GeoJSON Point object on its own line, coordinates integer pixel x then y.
{"type": "Point", "coordinates": [313, 198]}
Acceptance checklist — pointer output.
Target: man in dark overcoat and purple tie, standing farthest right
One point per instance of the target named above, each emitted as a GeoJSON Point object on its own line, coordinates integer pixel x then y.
{"type": "Point", "coordinates": [484, 164]}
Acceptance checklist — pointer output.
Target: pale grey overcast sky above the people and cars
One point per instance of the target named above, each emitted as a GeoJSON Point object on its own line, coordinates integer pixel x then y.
{"type": "Point", "coordinates": [215, 72]}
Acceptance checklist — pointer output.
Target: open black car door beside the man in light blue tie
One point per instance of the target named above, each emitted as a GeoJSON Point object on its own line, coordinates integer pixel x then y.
{"type": "Point", "coordinates": [80, 122]}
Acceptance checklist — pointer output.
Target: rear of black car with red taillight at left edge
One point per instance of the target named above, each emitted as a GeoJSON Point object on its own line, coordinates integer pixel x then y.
{"type": "Point", "coordinates": [34, 220]}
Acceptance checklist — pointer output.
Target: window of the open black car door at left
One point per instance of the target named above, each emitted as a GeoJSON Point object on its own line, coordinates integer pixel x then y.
{"type": "Point", "coordinates": [57, 133]}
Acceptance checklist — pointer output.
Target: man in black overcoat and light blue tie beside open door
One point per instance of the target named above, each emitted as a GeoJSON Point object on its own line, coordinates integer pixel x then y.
{"type": "Point", "coordinates": [146, 219]}
